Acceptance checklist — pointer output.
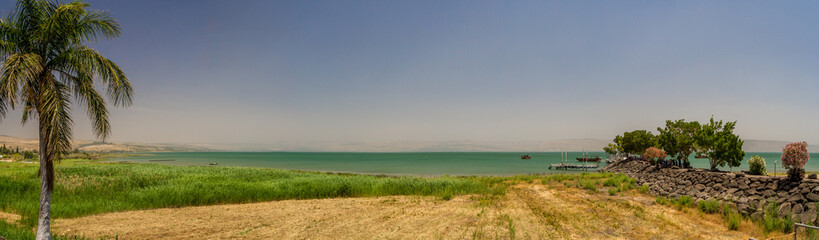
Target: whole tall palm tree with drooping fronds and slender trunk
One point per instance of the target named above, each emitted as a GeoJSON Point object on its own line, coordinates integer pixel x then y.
{"type": "Point", "coordinates": [46, 62]}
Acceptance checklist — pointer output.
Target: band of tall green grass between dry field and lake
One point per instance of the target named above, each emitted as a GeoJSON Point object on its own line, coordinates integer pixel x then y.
{"type": "Point", "coordinates": [83, 189]}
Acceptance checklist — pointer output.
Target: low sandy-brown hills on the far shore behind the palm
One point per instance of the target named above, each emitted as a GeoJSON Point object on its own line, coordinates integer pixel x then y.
{"type": "Point", "coordinates": [28, 144]}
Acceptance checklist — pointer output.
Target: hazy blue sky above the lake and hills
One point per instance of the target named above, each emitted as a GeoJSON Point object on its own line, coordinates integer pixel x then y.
{"type": "Point", "coordinates": [367, 71]}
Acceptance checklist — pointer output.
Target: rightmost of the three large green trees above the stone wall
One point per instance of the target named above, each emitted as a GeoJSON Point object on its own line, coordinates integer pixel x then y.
{"type": "Point", "coordinates": [717, 141]}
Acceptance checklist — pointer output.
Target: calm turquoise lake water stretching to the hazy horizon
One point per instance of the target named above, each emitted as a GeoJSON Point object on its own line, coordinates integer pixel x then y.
{"type": "Point", "coordinates": [422, 164]}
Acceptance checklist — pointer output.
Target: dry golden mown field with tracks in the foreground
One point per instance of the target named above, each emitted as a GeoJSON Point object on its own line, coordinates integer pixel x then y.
{"type": "Point", "coordinates": [528, 211]}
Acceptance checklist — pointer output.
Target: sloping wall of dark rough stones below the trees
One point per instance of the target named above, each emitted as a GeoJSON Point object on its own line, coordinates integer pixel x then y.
{"type": "Point", "coordinates": [748, 193]}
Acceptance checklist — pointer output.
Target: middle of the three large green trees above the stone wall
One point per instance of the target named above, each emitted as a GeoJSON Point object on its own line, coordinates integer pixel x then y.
{"type": "Point", "coordinates": [677, 138]}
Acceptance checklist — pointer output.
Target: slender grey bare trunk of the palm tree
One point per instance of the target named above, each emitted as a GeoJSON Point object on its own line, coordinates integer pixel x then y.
{"type": "Point", "coordinates": [46, 178]}
